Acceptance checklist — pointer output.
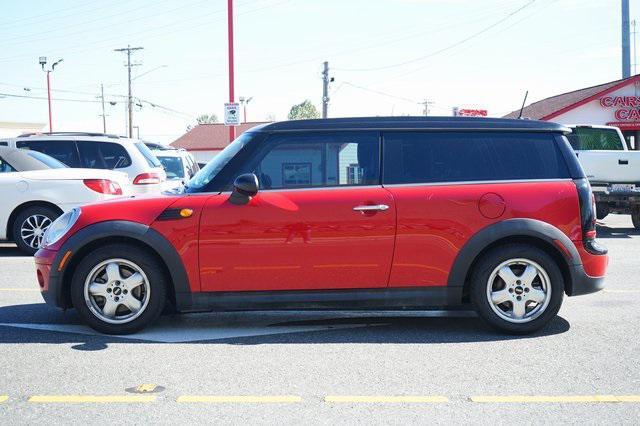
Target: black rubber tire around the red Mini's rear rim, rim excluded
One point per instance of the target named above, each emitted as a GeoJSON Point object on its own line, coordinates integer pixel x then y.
{"type": "Point", "coordinates": [490, 261]}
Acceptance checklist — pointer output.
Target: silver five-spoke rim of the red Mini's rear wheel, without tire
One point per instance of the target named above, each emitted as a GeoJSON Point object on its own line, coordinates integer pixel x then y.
{"type": "Point", "coordinates": [519, 290]}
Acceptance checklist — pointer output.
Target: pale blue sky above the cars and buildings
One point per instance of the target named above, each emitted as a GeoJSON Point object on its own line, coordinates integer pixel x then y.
{"type": "Point", "coordinates": [386, 56]}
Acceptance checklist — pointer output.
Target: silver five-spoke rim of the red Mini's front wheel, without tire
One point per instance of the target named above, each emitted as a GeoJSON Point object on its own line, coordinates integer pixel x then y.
{"type": "Point", "coordinates": [117, 291]}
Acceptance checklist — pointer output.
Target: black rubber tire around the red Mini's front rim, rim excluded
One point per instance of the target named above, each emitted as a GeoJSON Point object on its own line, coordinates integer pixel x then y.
{"type": "Point", "coordinates": [146, 261]}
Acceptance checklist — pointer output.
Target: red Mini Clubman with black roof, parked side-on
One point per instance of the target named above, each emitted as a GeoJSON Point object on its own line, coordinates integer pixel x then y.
{"type": "Point", "coordinates": [393, 213]}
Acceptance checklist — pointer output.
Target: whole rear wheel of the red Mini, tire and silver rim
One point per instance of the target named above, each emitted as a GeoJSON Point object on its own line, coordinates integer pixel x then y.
{"type": "Point", "coordinates": [517, 288]}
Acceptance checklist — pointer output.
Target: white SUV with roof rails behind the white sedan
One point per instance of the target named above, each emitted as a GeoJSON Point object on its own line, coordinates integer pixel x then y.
{"type": "Point", "coordinates": [99, 151]}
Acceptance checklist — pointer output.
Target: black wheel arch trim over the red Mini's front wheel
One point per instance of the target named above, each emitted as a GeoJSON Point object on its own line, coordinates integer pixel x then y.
{"type": "Point", "coordinates": [114, 229]}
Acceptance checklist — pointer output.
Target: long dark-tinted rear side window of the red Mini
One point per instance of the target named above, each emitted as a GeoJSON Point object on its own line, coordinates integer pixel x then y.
{"type": "Point", "coordinates": [429, 157]}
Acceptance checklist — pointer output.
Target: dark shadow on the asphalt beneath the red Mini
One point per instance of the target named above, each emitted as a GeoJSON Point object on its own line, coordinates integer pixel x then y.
{"type": "Point", "coordinates": [38, 323]}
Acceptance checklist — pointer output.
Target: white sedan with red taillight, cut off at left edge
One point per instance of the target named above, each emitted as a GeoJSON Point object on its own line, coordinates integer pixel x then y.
{"type": "Point", "coordinates": [35, 189]}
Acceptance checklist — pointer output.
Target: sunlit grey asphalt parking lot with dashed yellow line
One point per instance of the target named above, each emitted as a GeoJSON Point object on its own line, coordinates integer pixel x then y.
{"type": "Point", "coordinates": [326, 368]}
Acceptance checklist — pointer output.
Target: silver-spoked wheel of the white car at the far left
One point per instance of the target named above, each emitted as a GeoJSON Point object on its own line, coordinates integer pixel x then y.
{"type": "Point", "coordinates": [30, 225]}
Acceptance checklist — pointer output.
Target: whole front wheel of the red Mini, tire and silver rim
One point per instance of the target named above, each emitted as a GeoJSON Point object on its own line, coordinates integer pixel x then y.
{"type": "Point", "coordinates": [119, 289]}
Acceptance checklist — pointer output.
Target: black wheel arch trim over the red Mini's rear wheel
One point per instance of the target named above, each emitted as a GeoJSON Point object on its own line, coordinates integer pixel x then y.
{"type": "Point", "coordinates": [510, 228]}
